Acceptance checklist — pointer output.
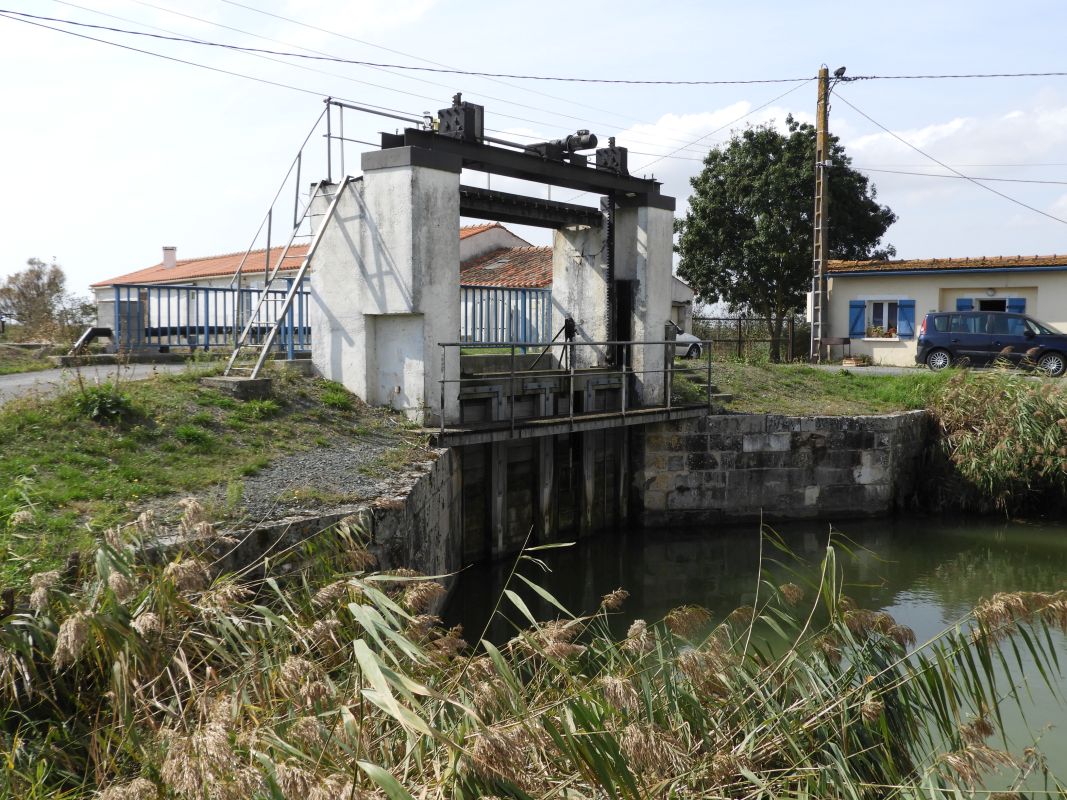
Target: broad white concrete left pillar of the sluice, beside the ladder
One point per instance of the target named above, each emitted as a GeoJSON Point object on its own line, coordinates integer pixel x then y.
{"type": "Point", "coordinates": [386, 284]}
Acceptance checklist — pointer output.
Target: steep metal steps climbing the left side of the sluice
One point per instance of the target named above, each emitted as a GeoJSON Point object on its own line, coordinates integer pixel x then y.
{"type": "Point", "coordinates": [253, 345]}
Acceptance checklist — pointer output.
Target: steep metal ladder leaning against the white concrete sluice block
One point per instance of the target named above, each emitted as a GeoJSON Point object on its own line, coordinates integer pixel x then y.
{"type": "Point", "coordinates": [256, 323]}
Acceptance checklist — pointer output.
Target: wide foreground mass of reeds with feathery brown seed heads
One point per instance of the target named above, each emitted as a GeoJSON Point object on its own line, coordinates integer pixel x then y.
{"type": "Point", "coordinates": [310, 677]}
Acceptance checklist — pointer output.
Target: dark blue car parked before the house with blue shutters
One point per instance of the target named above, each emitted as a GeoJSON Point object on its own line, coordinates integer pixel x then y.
{"type": "Point", "coordinates": [983, 338]}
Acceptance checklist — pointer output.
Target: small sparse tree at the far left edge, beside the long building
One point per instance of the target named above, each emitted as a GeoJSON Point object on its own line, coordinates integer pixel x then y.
{"type": "Point", "coordinates": [38, 300]}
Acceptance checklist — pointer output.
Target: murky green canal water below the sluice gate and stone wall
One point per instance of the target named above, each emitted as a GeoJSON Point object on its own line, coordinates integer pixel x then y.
{"type": "Point", "coordinates": [927, 572]}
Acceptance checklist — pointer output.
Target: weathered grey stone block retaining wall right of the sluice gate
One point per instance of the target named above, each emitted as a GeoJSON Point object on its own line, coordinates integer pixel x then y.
{"type": "Point", "coordinates": [743, 467]}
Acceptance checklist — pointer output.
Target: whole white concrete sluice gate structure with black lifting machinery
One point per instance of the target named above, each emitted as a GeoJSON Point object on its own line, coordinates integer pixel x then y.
{"type": "Point", "coordinates": [544, 444]}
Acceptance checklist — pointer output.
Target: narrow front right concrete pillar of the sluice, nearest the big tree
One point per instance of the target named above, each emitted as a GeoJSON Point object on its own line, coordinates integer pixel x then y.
{"type": "Point", "coordinates": [645, 229]}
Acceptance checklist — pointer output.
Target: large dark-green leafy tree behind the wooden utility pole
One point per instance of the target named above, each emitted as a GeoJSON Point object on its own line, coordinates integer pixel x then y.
{"type": "Point", "coordinates": [747, 239]}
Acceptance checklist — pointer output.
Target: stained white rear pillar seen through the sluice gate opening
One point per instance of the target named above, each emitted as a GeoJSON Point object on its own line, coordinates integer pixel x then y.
{"type": "Point", "coordinates": [580, 289]}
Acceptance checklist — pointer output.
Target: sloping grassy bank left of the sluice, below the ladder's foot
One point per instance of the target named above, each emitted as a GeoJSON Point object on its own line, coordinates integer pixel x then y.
{"type": "Point", "coordinates": [78, 477]}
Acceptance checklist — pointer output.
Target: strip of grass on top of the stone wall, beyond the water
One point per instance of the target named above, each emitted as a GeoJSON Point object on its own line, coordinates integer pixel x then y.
{"type": "Point", "coordinates": [791, 389]}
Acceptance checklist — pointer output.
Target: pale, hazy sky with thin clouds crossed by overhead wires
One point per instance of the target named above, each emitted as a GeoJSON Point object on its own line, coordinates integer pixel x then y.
{"type": "Point", "coordinates": [112, 154]}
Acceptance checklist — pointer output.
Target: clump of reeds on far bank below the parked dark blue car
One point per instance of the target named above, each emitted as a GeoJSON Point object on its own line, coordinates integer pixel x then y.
{"type": "Point", "coordinates": [1006, 437]}
